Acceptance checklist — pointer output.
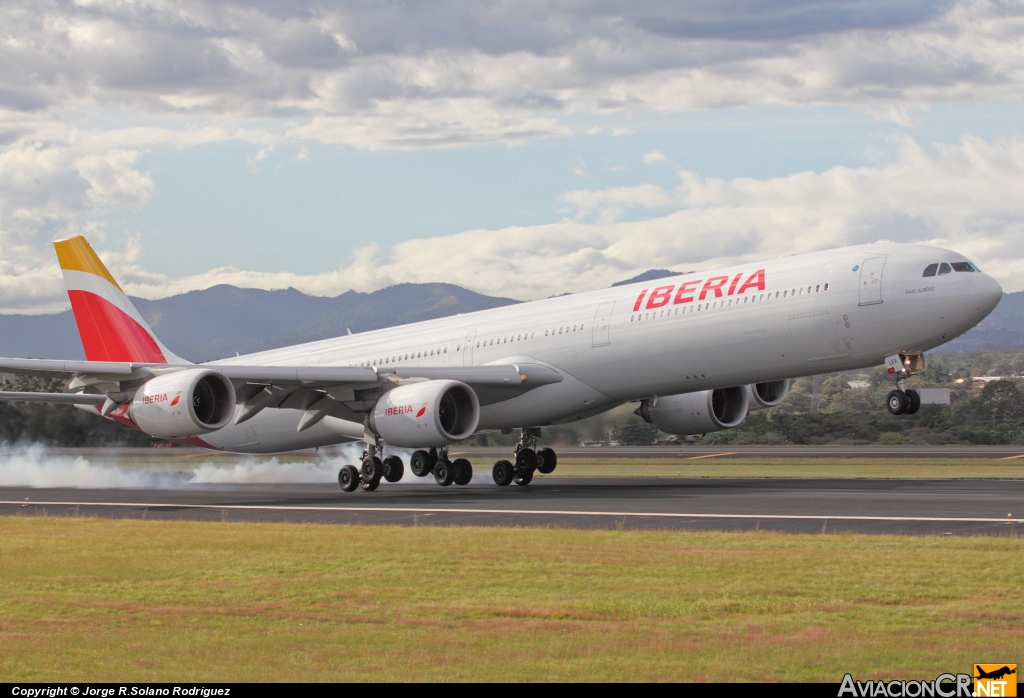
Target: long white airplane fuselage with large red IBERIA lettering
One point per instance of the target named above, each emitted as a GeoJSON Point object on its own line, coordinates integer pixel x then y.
{"type": "Point", "coordinates": [798, 316]}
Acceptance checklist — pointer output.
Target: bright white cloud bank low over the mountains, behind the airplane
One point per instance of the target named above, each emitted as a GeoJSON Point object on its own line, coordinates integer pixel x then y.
{"type": "Point", "coordinates": [963, 196]}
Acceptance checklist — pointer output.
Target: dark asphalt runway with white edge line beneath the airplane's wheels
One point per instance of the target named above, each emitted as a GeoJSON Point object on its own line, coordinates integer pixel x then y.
{"type": "Point", "coordinates": [806, 506]}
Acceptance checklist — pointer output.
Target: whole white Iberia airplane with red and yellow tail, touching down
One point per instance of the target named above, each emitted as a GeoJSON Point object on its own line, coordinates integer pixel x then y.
{"type": "Point", "coordinates": [696, 352]}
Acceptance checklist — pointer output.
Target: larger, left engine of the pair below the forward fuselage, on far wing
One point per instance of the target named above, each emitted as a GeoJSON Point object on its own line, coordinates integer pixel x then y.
{"type": "Point", "coordinates": [709, 411]}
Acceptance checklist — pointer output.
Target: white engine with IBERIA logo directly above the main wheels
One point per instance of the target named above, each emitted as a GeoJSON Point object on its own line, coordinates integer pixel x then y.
{"type": "Point", "coordinates": [428, 414]}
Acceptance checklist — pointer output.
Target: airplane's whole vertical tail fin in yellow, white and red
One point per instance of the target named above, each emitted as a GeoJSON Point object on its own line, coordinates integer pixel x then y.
{"type": "Point", "coordinates": [111, 328]}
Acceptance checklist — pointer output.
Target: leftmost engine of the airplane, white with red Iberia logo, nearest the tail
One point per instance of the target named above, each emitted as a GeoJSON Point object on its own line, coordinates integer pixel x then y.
{"type": "Point", "coordinates": [185, 404]}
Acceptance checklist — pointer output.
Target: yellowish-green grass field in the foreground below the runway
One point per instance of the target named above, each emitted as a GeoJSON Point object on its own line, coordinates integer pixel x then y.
{"type": "Point", "coordinates": [99, 600]}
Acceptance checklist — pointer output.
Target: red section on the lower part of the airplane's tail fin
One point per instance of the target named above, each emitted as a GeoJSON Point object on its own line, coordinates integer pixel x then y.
{"type": "Point", "coordinates": [109, 334]}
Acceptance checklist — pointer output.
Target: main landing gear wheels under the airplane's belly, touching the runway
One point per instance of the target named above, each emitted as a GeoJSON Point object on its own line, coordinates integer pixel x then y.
{"type": "Point", "coordinates": [373, 469]}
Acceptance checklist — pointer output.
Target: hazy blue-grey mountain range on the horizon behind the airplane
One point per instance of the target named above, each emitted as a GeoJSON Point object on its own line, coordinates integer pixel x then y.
{"type": "Point", "coordinates": [224, 321]}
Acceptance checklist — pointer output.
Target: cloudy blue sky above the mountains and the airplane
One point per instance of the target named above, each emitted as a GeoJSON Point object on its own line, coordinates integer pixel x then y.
{"type": "Point", "coordinates": [522, 149]}
